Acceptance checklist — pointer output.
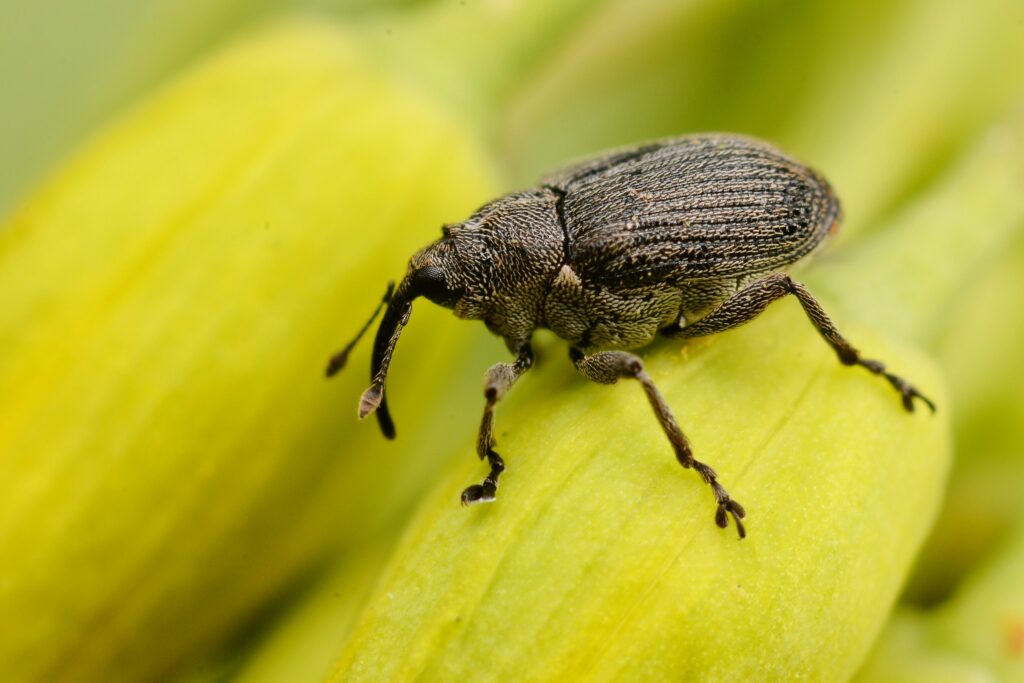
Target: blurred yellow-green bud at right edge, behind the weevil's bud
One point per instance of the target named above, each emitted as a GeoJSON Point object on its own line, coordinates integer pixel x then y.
{"type": "Point", "coordinates": [980, 349]}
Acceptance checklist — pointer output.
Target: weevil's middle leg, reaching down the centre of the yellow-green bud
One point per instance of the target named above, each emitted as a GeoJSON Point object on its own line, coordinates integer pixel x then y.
{"type": "Point", "coordinates": [609, 368]}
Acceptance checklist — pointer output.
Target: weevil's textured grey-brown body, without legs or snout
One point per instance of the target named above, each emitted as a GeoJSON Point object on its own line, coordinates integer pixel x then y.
{"type": "Point", "coordinates": [616, 248]}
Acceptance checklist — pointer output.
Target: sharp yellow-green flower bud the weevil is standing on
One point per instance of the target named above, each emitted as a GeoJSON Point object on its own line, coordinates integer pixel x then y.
{"type": "Point", "coordinates": [601, 560]}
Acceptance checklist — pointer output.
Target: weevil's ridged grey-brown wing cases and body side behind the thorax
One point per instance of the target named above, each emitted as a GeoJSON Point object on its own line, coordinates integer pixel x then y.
{"type": "Point", "coordinates": [662, 235]}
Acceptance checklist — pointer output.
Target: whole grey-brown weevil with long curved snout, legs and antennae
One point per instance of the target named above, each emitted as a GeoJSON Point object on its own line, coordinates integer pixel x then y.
{"type": "Point", "coordinates": [685, 238]}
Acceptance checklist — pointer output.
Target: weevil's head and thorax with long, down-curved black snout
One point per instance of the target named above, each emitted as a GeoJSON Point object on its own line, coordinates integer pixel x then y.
{"type": "Point", "coordinates": [494, 267]}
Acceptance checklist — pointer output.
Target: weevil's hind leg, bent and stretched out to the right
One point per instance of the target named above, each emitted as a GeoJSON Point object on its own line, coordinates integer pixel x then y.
{"type": "Point", "coordinates": [749, 303]}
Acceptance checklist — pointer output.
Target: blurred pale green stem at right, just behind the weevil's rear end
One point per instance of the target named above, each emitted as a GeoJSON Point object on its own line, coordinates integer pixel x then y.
{"type": "Point", "coordinates": [934, 252]}
